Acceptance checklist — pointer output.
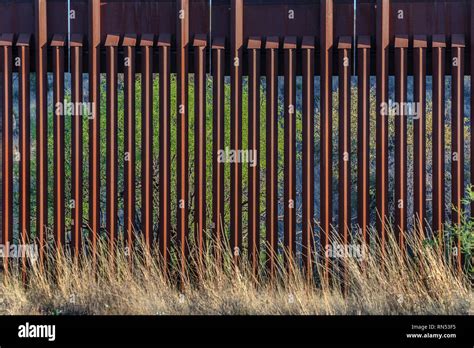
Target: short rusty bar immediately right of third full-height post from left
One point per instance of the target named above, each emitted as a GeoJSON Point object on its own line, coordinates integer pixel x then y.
{"type": "Point", "coordinates": [200, 43]}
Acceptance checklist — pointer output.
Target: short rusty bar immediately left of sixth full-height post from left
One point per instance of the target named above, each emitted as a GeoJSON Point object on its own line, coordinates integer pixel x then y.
{"type": "Point", "coordinates": [363, 136]}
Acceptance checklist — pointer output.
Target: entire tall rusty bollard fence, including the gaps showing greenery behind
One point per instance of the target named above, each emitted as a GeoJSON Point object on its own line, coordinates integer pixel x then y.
{"type": "Point", "coordinates": [270, 125]}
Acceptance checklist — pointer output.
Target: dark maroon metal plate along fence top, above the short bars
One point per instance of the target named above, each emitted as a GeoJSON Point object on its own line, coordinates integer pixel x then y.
{"type": "Point", "coordinates": [261, 18]}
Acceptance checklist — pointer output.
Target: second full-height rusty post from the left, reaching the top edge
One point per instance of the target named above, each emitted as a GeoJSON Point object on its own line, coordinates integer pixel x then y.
{"type": "Point", "coordinates": [94, 124]}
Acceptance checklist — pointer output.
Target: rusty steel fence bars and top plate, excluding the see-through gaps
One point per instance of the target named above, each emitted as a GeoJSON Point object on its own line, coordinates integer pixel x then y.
{"type": "Point", "coordinates": [236, 38]}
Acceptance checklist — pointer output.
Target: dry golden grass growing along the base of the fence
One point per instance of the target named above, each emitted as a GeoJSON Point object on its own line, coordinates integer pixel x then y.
{"type": "Point", "coordinates": [423, 284]}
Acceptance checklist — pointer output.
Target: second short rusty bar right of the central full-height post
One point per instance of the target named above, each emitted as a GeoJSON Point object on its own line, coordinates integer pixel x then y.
{"type": "Point", "coordinates": [271, 139]}
